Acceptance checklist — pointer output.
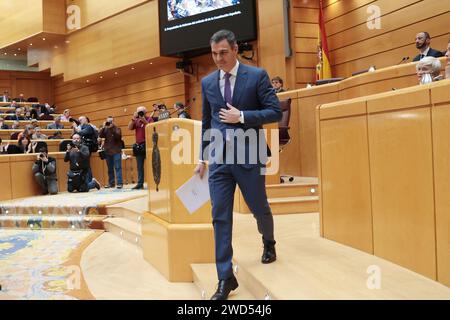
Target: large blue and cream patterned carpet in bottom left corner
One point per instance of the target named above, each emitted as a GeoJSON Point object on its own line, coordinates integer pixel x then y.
{"type": "Point", "coordinates": [43, 265]}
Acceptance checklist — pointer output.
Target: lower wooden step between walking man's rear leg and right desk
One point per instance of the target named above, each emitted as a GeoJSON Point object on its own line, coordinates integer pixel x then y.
{"type": "Point", "coordinates": [289, 205]}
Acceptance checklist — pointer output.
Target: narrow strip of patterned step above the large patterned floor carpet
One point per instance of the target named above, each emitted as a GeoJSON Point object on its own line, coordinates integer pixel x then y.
{"type": "Point", "coordinates": [43, 221]}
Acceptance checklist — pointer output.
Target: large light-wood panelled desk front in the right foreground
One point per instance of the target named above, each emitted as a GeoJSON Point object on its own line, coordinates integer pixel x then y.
{"type": "Point", "coordinates": [384, 176]}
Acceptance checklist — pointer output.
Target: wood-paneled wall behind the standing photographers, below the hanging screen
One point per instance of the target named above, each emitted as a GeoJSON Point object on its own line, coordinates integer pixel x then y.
{"type": "Point", "coordinates": [121, 96]}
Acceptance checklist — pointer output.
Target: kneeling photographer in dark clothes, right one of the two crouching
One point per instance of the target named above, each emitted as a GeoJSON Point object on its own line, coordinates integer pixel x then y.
{"type": "Point", "coordinates": [78, 155]}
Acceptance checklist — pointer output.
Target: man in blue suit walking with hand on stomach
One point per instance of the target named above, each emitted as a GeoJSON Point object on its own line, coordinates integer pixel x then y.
{"type": "Point", "coordinates": [237, 100]}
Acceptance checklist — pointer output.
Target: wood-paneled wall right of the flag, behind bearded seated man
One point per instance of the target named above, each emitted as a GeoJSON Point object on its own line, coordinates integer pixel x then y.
{"type": "Point", "coordinates": [355, 47]}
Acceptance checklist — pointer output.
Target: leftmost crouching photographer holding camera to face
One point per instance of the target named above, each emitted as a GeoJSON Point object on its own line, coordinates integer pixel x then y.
{"type": "Point", "coordinates": [44, 170]}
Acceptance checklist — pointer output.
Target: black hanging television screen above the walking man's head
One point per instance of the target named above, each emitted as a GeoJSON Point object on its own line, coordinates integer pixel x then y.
{"type": "Point", "coordinates": [187, 25]}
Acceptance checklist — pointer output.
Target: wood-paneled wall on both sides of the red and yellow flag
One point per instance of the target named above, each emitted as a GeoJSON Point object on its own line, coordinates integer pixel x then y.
{"type": "Point", "coordinates": [353, 45]}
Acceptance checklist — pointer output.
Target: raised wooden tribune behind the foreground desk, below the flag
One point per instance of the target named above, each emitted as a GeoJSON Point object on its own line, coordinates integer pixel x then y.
{"type": "Point", "coordinates": [300, 156]}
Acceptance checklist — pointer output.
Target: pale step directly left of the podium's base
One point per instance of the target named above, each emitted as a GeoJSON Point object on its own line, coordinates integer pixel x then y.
{"type": "Point", "coordinates": [125, 229]}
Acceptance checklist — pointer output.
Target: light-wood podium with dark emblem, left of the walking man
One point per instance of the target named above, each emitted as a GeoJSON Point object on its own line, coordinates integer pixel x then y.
{"type": "Point", "coordinates": [172, 238]}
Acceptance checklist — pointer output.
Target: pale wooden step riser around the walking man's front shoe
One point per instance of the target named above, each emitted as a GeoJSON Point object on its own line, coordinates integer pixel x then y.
{"type": "Point", "coordinates": [205, 278]}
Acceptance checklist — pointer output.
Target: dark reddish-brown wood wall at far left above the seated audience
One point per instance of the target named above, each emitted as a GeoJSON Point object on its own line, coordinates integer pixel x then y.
{"type": "Point", "coordinates": [31, 84]}
